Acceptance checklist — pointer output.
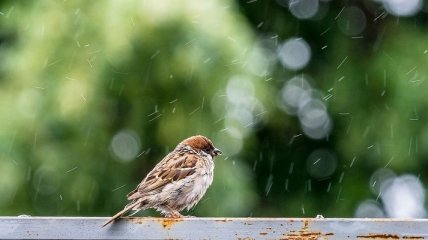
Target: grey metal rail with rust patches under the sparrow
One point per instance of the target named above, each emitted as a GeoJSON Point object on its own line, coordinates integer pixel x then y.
{"type": "Point", "coordinates": [211, 228]}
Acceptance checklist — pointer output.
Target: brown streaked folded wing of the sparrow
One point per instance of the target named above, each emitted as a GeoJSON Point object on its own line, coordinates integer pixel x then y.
{"type": "Point", "coordinates": [174, 167]}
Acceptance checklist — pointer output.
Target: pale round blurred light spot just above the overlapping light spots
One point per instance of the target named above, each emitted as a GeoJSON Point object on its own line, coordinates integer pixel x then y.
{"type": "Point", "coordinates": [294, 54]}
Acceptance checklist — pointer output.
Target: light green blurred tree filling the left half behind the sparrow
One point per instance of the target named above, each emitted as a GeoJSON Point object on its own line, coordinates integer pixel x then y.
{"type": "Point", "coordinates": [100, 91]}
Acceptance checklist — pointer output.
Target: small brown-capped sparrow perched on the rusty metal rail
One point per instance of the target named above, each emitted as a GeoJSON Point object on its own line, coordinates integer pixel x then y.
{"type": "Point", "coordinates": [177, 182]}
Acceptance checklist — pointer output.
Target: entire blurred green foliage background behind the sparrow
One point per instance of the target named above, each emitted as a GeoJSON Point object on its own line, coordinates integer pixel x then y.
{"type": "Point", "coordinates": [75, 75]}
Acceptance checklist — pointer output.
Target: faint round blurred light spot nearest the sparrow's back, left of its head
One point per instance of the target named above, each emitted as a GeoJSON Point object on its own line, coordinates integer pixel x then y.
{"type": "Point", "coordinates": [125, 145]}
